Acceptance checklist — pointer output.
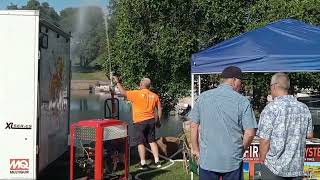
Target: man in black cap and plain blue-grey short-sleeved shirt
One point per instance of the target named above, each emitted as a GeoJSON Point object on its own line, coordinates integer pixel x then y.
{"type": "Point", "coordinates": [227, 128]}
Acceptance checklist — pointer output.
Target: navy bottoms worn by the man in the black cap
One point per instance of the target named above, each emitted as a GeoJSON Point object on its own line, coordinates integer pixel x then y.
{"type": "Point", "coordinates": [210, 175]}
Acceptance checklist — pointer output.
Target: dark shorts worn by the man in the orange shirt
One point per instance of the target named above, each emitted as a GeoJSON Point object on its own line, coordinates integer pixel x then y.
{"type": "Point", "coordinates": [144, 132]}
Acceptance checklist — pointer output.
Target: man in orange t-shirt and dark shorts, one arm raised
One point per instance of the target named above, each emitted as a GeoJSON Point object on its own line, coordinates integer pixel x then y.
{"type": "Point", "coordinates": [144, 102]}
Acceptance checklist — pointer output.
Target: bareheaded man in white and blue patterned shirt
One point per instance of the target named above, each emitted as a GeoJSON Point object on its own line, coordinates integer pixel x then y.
{"type": "Point", "coordinates": [284, 125]}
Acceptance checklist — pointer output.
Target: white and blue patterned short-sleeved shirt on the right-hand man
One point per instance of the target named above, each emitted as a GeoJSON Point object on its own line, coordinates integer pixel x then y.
{"type": "Point", "coordinates": [285, 122]}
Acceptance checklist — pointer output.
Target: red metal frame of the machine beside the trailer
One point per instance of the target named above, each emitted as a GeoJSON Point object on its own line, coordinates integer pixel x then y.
{"type": "Point", "coordinates": [98, 124]}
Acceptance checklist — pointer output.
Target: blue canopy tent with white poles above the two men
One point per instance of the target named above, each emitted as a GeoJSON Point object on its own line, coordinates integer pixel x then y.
{"type": "Point", "coordinates": [286, 45]}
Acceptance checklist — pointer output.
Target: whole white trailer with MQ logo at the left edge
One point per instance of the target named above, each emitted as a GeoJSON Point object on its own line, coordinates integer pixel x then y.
{"type": "Point", "coordinates": [34, 93]}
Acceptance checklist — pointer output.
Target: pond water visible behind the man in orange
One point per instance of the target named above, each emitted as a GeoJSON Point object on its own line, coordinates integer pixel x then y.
{"type": "Point", "coordinates": [86, 106]}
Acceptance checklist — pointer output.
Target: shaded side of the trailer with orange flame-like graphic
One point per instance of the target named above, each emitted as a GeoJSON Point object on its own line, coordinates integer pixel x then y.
{"type": "Point", "coordinates": [54, 79]}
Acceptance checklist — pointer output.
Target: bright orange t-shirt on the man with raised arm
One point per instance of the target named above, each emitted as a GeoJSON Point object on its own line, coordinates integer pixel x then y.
{"type": "Point", "coordinates": [143, 103]}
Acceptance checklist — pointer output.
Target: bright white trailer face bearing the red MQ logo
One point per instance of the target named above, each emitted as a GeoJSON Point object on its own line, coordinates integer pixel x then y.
{"type": "Point", "coordinates": [18, 93]}
